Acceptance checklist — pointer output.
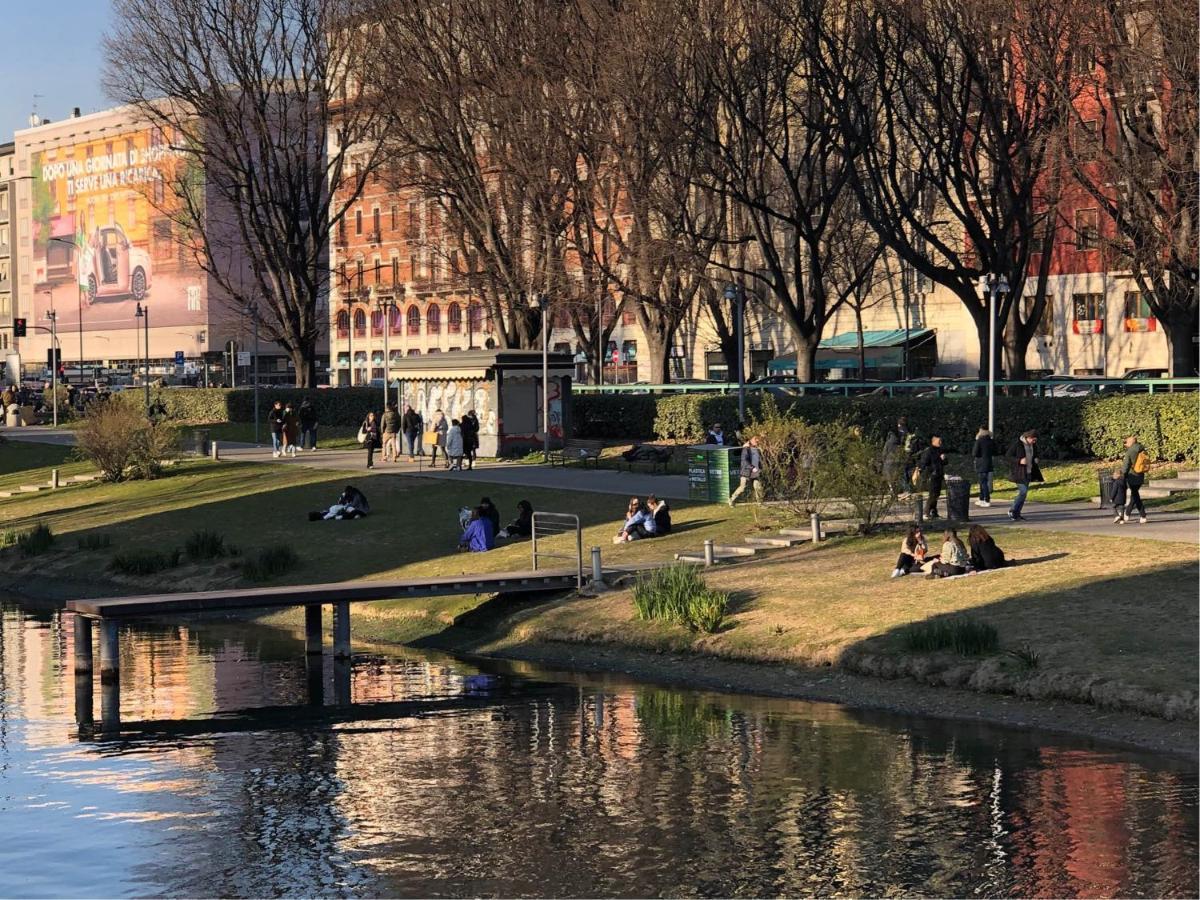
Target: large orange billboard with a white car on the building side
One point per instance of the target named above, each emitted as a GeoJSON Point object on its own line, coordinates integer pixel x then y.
{"type": "Point", "coordinates": [104, 238]}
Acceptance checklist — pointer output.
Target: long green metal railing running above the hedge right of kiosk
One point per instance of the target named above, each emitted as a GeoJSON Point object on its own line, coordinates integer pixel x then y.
{"type": "Point", "coordinates": [943, 388]}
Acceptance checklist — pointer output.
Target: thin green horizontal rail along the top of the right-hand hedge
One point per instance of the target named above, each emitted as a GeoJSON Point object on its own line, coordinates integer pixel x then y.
{"type": "Point", "coordinates": [892, 388]}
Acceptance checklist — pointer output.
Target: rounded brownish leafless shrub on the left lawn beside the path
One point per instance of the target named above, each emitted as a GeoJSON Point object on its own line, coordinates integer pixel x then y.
{"type": "Point", "coordinates": [123, 443]}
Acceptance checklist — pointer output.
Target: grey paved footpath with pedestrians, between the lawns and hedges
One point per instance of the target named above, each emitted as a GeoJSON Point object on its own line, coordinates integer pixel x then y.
{"type": "Point", "coordinates": [1078, 518]}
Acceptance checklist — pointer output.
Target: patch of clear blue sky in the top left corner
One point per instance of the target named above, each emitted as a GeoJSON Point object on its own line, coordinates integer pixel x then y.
{"type": "Point", "coordinates": [52, 50]}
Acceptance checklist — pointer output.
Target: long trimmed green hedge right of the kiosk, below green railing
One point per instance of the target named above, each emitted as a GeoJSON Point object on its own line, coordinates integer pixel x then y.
{"type": "Point", "coordinates": [1067, 427]}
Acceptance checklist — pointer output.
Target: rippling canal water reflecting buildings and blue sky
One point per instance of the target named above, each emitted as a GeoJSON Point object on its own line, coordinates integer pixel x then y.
{"type": "Point", "coordinates": [448, 778]}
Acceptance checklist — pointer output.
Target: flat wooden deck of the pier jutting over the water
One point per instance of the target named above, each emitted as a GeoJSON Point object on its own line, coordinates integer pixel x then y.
{"type": "Point", "coordinates": [334, 593]}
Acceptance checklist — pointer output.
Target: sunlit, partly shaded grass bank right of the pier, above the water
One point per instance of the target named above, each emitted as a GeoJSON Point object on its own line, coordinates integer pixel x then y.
{"type": "Point", "coordinates": [1109, 619]}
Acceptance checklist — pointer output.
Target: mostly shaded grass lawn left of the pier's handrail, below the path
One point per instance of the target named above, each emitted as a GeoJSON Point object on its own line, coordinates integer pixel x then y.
{"type": "Point", "coordinates": [412, 531]}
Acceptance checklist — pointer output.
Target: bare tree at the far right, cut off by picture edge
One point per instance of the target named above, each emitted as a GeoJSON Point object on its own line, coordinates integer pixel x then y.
{"type": "Point", "coordinates": [1136, 119]}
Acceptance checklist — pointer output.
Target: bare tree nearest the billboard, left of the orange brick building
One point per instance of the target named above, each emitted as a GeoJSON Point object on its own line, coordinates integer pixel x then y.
{"type": "Point", "coordinates": [261, 97]}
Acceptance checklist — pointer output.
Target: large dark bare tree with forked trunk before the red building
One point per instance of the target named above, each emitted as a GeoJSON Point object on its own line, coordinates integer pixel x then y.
{"type": "Point", "coordinates": [951, 107]}
